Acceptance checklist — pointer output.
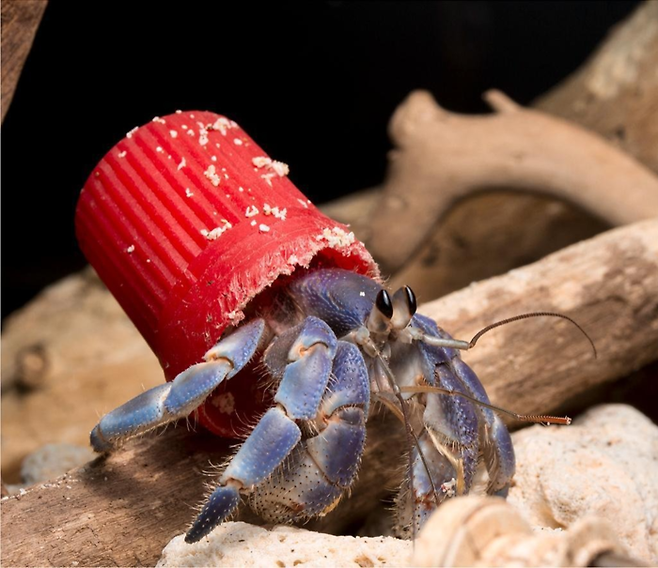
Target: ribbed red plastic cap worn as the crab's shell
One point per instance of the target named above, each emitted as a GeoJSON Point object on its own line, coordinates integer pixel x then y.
{"type": "Point", "coordinates": [186, 220]}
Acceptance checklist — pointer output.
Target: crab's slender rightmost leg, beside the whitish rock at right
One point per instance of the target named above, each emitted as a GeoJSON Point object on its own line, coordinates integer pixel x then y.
{"type": "Point", "coordinates": [497, 443]}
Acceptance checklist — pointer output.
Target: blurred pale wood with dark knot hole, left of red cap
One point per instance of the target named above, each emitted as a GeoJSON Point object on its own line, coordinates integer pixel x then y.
{"type": "Point", "coordinates": [68, 357]}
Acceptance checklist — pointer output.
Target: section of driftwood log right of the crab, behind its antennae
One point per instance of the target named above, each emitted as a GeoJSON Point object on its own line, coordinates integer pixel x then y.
{"type": "Point", "coordinates": [608, 284]}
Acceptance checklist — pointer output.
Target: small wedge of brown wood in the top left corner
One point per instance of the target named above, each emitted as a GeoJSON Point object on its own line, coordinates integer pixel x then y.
{"type": "Point", "coordinates": [20, 20]}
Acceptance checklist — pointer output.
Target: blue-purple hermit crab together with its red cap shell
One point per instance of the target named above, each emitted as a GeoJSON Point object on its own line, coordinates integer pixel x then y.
{"type": "Point", "coordinates": [262, 310]}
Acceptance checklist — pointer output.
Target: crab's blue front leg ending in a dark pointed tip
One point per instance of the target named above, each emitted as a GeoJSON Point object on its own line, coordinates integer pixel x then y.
{"type": "Point", "coordinates": [303, 355]}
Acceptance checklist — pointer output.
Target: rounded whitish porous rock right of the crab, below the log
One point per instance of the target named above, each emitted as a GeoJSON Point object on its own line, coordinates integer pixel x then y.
{"type": "Point", "coordinates": [604, 465]}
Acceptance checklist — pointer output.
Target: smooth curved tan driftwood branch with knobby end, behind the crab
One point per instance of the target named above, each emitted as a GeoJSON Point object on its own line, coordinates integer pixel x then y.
{"type": "Point", "coordinates": [442, 157]}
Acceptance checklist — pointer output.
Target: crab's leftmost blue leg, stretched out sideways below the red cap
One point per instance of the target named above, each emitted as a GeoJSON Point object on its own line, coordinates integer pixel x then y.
{"type": "Point", "coordinates": [179, 398]}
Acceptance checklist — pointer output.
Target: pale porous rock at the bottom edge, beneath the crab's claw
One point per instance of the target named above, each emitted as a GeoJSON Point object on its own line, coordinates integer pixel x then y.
{"type": "Point", "coordinates": [241, 544]}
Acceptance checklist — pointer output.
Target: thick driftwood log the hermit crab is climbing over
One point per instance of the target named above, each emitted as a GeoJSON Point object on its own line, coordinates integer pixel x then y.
{"type": "Point", "coordinates": [123, 509]}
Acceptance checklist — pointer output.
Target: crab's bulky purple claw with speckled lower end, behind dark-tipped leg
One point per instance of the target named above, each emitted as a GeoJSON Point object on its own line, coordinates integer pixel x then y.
{"type": "Point", "coordinates": [318, 472]}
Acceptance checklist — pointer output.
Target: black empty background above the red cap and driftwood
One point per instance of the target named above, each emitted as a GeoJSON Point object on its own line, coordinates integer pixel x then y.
{"type": "Point", "coordinates": [314, 83]}
